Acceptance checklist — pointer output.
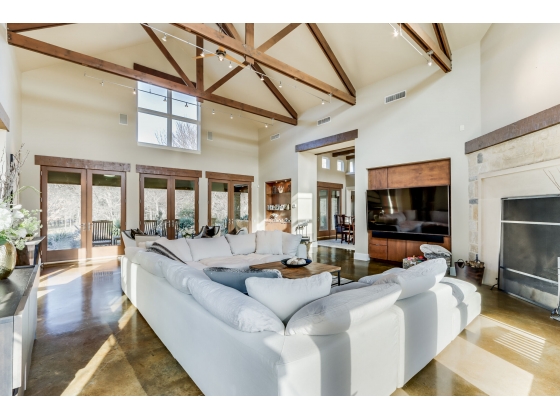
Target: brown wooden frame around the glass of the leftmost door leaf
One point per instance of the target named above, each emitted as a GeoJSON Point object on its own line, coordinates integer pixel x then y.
{"type": "Point", "coordinates": [65, 254]}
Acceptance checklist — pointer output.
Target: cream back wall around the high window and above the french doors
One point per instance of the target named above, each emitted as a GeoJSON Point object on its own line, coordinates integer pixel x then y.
{"type": "Point", "coordinates": [68, 115]}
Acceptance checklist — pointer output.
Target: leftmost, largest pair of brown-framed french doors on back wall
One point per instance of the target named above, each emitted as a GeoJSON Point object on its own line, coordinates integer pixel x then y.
{"type": "Point", "coordinates": [83, 211]}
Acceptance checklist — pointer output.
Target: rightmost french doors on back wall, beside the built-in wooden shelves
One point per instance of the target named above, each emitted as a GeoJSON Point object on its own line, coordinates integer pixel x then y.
{"type": "Point", "coordinates": [229, 205]}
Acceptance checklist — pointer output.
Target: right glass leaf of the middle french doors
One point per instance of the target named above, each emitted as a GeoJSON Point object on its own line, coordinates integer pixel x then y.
{"type": "Point", "coordinates": [185, 218]}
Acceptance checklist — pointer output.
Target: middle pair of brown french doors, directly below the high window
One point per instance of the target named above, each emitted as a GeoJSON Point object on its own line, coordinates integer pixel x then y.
{"type": "Point", "coordinates": [168, 205]}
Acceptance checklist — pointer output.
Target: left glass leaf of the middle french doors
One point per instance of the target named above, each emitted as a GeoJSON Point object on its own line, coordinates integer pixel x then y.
{"type": "Point", "coordinates": [155, 206]}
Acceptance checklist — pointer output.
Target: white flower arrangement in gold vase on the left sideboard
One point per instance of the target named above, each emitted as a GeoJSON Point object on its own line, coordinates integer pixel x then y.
{"type": "Point", "coordinates": [17, 225]}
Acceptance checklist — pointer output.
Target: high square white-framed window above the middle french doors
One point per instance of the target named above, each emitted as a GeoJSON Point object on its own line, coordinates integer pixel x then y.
{"type": "Point", "coordinates": [167, 118]}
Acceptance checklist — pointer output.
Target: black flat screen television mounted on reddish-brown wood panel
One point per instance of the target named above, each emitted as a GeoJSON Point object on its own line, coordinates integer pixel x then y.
{"type": "Point", "coordinates": [420, 210]}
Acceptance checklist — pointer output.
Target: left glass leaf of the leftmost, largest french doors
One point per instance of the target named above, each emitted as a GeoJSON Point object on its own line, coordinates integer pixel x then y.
{"type": "Point", "coordinates": [64, 213]}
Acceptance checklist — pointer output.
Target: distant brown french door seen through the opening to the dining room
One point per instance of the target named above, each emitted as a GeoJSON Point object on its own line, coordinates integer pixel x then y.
{"type": "Point", "coordinates": [329, 204]}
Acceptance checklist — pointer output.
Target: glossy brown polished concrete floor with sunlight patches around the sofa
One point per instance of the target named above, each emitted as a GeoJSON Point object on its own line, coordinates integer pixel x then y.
{"type": "Point", "coordinates": [92, 341]}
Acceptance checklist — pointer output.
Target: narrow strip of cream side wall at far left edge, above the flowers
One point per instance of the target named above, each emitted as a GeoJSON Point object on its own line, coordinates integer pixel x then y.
{"type": "Point", "coordinates": [10, 93]}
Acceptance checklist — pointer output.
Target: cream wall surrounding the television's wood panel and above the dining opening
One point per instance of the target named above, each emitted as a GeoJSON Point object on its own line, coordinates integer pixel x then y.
{"type": "Point", "coordinates": [424, 126]}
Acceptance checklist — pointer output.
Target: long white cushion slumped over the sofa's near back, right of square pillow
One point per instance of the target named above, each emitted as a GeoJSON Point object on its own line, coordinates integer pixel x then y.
{"type": "Point", "coordinates": [341, 311]}
